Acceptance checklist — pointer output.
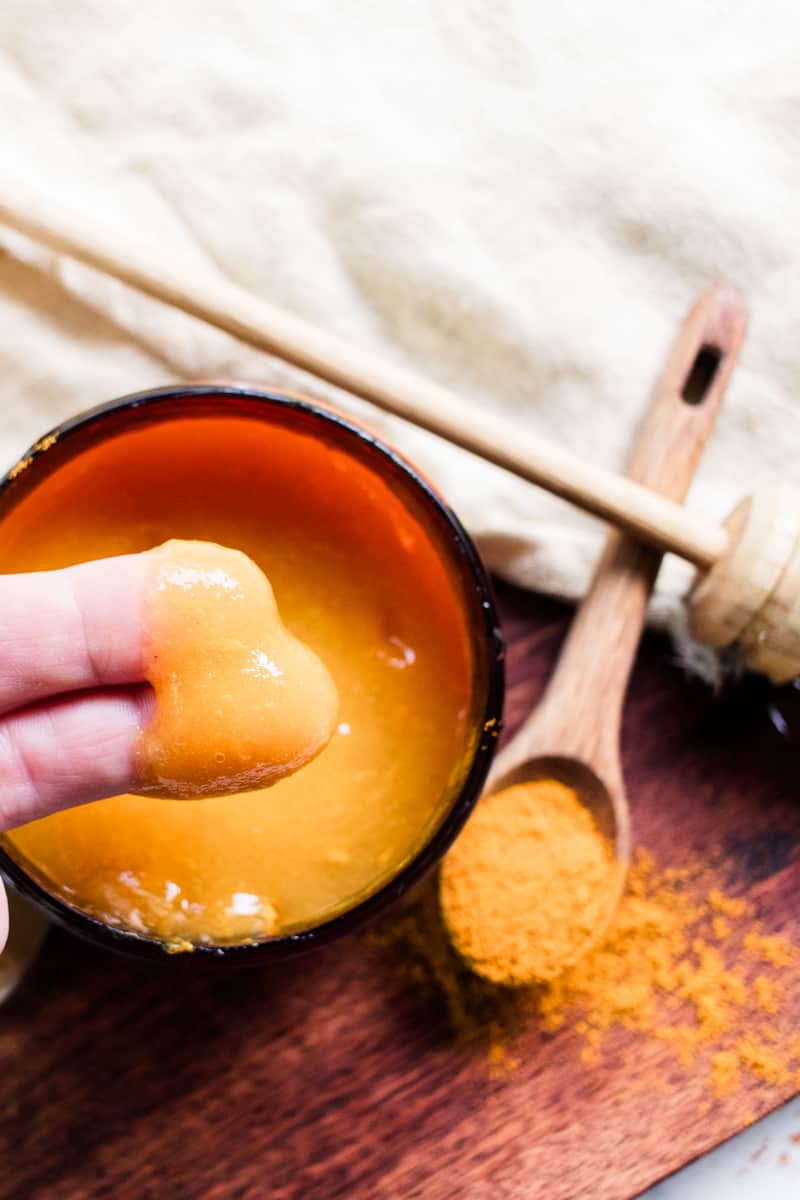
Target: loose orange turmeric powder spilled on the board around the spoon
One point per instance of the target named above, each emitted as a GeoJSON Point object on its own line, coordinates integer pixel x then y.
{"type": "Point", "coordinates": [664, 974]}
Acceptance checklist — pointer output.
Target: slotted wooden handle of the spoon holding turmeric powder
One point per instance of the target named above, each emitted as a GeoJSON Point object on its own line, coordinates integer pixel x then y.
{"type": "Point", "coordinates": [582, 709]}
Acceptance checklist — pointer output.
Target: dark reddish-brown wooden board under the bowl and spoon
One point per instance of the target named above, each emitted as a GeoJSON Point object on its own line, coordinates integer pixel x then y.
{"type": "Point", "coordinates": [338, 1077]}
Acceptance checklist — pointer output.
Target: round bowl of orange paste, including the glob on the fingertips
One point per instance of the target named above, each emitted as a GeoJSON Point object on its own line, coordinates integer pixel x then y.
{"type": "Point", "coordinates": [366, 572]}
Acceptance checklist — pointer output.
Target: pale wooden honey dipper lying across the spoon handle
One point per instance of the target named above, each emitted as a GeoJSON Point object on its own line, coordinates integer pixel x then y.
{"type": "Point", "coordinates": [748, 591]}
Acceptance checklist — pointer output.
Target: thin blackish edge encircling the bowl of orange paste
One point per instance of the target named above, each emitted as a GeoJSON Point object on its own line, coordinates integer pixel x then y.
{"type": "Point", "coordinates": [489, 722]}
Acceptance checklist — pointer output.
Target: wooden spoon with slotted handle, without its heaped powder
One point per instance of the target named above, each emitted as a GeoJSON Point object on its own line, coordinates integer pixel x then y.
{"type": "Point", "coordinates": [574, 735]}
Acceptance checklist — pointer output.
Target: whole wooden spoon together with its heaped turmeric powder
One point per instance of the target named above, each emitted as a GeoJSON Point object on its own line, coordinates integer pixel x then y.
{"type": "Point", "coordinates": [532, 884]}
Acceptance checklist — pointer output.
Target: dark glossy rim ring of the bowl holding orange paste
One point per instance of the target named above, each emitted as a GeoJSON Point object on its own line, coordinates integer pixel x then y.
{"type": "Point", "coordinates": [62, 445]}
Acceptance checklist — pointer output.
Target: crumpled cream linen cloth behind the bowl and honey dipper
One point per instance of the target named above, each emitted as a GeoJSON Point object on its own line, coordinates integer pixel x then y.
{"type": "Point", "coordinates": [516, 200]}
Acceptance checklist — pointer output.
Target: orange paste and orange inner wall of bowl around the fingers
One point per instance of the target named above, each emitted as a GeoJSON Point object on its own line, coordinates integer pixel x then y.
{"type": "Point", "coordinates": [360, 581]}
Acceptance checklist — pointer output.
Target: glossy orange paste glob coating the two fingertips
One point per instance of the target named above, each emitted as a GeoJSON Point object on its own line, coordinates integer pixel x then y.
{"type": "Point", "coordinates": [240, 703]}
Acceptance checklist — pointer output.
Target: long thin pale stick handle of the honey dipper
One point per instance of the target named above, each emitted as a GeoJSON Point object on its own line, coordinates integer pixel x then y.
{"type": "Point", "coordinates": [474, 428]}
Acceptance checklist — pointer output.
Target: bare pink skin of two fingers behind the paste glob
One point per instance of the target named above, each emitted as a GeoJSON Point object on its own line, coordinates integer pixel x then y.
{"type": "Point", "coordinates": [73, 697]}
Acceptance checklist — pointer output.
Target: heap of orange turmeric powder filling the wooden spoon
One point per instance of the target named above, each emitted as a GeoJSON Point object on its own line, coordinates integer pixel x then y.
{"type": "Point", "coordinates": [528, 885]}
